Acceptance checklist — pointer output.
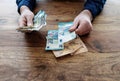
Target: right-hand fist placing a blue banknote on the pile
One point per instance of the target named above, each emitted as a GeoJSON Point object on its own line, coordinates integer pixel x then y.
{"type": "Point", "coordinates": [82, 23]}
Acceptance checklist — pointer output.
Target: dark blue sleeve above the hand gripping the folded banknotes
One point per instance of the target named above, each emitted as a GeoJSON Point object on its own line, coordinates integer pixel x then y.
{"type": "Point", "coordinates": [29, 3]}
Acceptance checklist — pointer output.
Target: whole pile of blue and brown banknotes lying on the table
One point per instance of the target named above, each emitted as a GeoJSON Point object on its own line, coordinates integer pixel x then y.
{"type": "Point", "coordinates": [62, 42]}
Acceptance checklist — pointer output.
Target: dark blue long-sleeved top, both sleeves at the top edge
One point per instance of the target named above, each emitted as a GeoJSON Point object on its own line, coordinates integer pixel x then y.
{"type": "Point", "coordinates": [94, 6]}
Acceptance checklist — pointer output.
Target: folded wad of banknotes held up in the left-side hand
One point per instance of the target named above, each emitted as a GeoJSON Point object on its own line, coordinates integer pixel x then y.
{"type": "Point", "coordinates": [38, 22]}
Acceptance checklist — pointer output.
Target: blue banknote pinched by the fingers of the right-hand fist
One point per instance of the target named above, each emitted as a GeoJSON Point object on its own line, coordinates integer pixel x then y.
{"type": "Point", "coordinates": [64, 33]}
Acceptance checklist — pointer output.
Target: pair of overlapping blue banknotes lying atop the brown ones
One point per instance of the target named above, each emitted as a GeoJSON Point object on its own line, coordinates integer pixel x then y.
{"type": "Point", "coordinates": [57, 38]}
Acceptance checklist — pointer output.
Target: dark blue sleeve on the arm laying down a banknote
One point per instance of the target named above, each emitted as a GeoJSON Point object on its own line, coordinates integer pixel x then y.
{"type": "Point", "coordinates": [94, 6]}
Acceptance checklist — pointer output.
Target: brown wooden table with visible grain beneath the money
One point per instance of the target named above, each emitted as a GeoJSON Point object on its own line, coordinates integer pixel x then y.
{"type": "Point", "coordinates": [23, 56]}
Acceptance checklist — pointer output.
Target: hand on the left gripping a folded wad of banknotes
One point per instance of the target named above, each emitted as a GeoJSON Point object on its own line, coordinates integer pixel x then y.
{"type": "Point", "coordinates": [26, 18]}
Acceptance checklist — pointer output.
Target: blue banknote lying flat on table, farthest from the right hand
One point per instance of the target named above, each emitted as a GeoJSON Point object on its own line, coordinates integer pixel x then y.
{"type": "Point", "coordinates": [53, 41]}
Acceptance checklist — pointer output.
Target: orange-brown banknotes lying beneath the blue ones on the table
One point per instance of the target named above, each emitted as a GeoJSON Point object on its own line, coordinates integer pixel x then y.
{"type": "Point", "coordinates": [73, 47]}
